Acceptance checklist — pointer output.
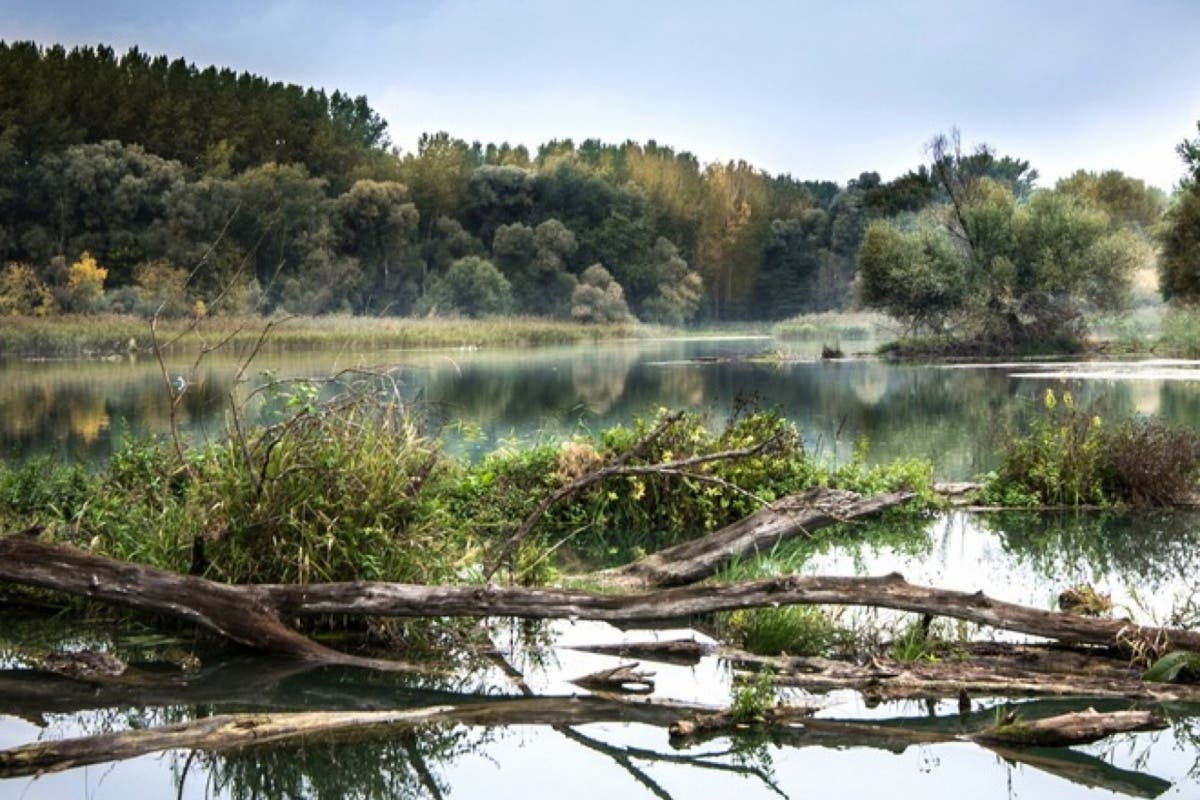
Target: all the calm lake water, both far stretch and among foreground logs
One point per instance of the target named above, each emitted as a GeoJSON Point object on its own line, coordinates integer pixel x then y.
{"type": "Point", "coordinates": [955, 416]}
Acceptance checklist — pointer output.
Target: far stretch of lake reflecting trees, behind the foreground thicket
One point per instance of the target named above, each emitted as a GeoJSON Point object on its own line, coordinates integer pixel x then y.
{"type": "Point", "coordinates": [955, 416]}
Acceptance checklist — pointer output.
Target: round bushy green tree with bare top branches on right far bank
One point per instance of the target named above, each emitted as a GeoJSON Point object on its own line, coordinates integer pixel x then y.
{"type": "Point", "coordinates": [1000, 269]}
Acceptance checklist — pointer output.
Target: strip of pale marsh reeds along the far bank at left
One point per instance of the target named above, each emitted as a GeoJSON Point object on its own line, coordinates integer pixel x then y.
{"type": "Point", "coordinates": [97, 335]}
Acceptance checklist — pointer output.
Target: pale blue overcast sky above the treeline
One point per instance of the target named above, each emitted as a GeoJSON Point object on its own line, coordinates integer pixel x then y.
{"type": "Point", "coordinates": [819, 91]}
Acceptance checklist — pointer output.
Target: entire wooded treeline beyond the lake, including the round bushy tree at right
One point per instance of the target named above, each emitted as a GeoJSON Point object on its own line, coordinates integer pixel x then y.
{"type": "Point", "coordinates": [137, 184]}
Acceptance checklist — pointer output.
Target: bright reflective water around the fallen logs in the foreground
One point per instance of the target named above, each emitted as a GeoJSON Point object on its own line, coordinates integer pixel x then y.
{"type": "Point", "coordinates": [1145, 562]}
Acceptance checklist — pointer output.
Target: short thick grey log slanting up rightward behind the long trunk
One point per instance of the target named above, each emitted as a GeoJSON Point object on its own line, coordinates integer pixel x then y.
{"type": "Point", "coordinates": [796, 515]}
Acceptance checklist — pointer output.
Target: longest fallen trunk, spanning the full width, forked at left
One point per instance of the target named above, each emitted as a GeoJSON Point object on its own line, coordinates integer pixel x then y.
{"type": "Point", "coordinates": [250, 615]}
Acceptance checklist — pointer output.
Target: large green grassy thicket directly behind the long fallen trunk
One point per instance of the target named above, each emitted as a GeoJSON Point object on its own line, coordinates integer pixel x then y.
{"type": "Point", "coordinates": [355, 489]}
